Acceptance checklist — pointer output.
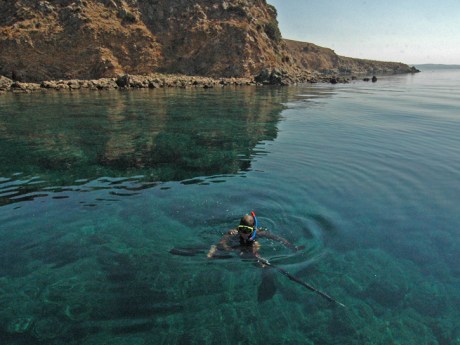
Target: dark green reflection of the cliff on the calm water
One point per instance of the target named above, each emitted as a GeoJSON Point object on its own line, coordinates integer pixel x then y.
{"type": "Point", "coordinates": [155, 136]}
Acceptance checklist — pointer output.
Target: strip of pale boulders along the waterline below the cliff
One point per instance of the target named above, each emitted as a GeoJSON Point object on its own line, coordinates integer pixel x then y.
{"type": "Point", "coordinates": [156, 81]}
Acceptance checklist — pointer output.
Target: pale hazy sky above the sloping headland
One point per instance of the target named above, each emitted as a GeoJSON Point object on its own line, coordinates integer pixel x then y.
{"type": "Point", "coordinates": [409, 31]}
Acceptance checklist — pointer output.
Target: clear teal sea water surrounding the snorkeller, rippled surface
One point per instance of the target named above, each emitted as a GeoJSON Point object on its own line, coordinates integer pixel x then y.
{"type": "Point", "coordinates": [109, 202]}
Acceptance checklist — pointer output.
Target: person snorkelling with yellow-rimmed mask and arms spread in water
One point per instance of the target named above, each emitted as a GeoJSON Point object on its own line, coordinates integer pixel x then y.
{"type": "Point", "coordinates": [244, 238]}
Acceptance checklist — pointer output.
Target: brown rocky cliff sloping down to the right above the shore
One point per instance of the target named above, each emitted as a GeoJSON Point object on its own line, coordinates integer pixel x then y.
{"type": "Point", "coordinates": [88, 39]}
